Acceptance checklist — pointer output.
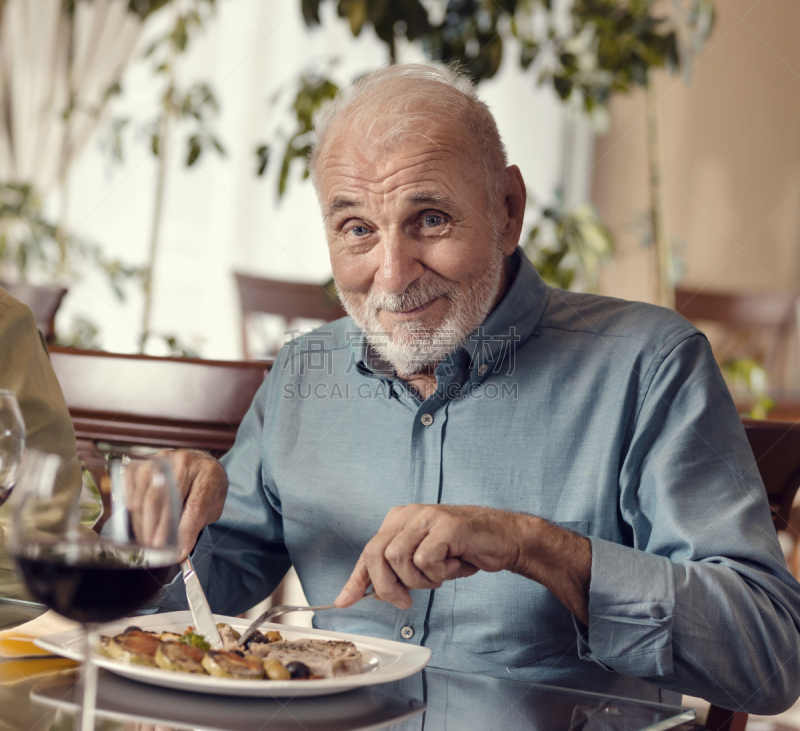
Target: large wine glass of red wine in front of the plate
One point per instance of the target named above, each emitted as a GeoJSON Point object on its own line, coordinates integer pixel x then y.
{"type": "Point", "coordinates": [91, 578]}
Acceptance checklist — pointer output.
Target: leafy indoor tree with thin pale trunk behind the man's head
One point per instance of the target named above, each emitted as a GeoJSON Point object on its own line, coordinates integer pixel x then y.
{"type": "Point", "coordinates": [600, 48]}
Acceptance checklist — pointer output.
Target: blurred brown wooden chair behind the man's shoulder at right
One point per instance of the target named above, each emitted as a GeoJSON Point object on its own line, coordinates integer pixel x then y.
{"type": "Point", "coordinates": [755, 326]}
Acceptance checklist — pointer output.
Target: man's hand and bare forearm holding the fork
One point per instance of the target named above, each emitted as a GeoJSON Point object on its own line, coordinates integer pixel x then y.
{"type": "Point", "coordinates": [422, 546]}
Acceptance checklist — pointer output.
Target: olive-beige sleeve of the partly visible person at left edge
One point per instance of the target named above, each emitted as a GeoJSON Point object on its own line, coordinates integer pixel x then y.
{"type": "Point", "coordinates": [25, 369]}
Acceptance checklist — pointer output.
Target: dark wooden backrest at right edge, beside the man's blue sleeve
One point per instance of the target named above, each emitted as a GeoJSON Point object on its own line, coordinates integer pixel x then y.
{"type": "Point", "coordinates": [776, 447]}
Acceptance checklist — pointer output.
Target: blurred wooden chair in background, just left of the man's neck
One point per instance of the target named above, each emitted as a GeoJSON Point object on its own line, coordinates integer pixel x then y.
{"type": "Point", "coordinates": [290, 300]}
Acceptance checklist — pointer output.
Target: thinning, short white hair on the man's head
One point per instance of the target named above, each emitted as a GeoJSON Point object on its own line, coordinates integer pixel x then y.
{"type": "Point", "coordinates": [401, 94]}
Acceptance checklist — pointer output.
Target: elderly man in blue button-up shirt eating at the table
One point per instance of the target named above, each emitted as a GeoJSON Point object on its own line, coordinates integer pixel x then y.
{"type": "Point", "coordinates": [539, 484]}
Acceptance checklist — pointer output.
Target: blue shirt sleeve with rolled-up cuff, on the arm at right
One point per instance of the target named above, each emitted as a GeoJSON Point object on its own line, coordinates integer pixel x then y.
{"type": "Point", "coordinates": [700, 597]}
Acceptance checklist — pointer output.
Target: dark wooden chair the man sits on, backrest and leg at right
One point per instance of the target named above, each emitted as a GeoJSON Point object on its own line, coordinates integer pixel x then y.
{"type": "Point", "coordinates": [776, 448]}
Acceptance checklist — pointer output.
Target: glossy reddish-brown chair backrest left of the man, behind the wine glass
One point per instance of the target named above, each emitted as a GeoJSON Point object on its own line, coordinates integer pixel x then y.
{"type": "Point", "coordinates": [123, 402]}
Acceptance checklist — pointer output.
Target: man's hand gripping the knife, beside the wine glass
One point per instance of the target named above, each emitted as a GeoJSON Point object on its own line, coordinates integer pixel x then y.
{"type": "Point", "coordinates": [203, 485]}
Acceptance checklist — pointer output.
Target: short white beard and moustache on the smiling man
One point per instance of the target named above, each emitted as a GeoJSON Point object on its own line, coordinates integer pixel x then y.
{"type": "Point", "coordinates": [412, 346]}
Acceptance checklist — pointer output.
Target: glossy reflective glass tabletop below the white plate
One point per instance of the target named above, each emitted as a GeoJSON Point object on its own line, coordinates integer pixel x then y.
{"type": "Point", "coordinates": [430, 700]}
